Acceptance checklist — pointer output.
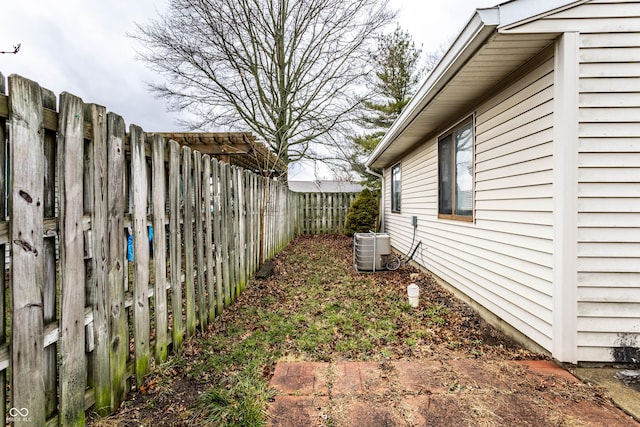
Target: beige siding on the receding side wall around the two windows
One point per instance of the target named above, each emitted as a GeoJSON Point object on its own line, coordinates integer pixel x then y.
{"type": "Point", "coordinates": [503, 260]}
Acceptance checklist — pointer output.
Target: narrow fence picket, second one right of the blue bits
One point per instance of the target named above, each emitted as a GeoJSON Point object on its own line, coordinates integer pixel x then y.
{"type": "Point", "coordinates": [175, 244]}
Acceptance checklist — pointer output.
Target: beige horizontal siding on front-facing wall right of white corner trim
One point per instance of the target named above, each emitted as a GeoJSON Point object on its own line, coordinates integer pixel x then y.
{"type": "Point", "coordinates": [608, 248]}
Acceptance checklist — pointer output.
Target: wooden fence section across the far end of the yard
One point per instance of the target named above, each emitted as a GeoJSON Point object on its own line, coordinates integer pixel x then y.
{"type": "Point", "coordinates": [323, 213]}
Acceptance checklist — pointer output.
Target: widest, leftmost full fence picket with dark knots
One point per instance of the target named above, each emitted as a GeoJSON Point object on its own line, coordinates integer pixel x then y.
{"type": "Point", "coordinates": [27, 345]}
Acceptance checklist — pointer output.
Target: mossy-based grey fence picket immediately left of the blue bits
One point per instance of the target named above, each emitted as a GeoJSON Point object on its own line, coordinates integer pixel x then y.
{"type": "Point", "coordinates": [118, 341]}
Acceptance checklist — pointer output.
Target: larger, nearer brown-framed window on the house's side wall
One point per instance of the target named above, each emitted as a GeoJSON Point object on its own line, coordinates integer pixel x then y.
{"type": "Point", "coordinates": [455, 173]}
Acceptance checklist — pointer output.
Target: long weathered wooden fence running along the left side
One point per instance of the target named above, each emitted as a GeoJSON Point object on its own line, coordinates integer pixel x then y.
{"type": "Point", "coordinates": [83, 321]}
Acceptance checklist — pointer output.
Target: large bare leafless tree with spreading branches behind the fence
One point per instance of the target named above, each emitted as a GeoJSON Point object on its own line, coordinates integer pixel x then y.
{"type": "Point", "coordinates": [289, 70]}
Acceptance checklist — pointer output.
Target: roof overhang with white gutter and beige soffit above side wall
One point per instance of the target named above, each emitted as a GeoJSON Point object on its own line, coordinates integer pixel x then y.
{"type": "Point", "coordinates": [473, 65]}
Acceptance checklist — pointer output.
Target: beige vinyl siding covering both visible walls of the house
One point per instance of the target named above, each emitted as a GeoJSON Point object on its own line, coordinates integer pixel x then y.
{"type": "Point", "coordinates": [504, 260]}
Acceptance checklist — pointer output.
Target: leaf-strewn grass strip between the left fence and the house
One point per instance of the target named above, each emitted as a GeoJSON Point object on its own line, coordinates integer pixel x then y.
{"type": "Point", "coordinates": [315, 308]}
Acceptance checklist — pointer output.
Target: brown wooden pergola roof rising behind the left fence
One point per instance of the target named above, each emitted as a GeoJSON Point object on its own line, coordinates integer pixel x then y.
{"type": "Point", "coordinates": [236, 148]}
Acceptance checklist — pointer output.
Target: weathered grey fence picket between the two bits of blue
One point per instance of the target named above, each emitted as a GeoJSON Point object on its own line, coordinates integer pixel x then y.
{"type": "Point", "coordinates": [141, 253]}
